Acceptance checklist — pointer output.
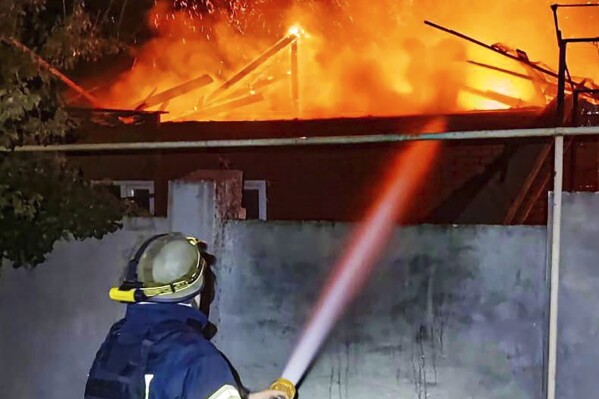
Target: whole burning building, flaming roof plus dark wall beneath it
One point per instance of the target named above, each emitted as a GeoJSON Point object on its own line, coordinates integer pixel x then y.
{"type": "Point", "coordinates": [268, 69]}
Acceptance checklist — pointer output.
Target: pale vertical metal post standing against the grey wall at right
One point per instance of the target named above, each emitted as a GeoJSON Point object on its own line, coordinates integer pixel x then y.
{"type": "Point", "coordinates": [555, 266]}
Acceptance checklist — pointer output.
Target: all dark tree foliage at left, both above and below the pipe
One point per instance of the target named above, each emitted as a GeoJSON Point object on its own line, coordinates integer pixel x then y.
{"type": "Point", "coordinates": [42, 198]}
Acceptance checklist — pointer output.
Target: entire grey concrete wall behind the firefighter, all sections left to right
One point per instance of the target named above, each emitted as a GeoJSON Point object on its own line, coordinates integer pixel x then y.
{"type": "Point", "coordinates": [451, 312]}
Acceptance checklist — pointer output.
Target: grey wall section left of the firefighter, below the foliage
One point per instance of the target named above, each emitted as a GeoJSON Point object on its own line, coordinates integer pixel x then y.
{"type": "Point", "coordinates": [53, 319]}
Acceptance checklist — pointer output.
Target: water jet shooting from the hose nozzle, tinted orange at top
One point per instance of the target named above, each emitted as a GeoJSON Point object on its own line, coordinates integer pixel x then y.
{"type": "Point", "coordinates": [354, 267]}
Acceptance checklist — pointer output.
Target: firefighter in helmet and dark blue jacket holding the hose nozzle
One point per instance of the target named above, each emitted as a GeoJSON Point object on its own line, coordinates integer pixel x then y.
{"type": "Point", "coordinates": [158, 350]}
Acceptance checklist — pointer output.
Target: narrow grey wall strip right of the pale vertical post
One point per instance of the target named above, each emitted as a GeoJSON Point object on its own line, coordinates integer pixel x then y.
{"type": "Point", "coordinates": [578, 349]}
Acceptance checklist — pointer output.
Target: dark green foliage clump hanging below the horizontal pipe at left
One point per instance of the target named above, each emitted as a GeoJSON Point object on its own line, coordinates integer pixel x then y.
{"type": "Point", "coordinates": [43, 200]}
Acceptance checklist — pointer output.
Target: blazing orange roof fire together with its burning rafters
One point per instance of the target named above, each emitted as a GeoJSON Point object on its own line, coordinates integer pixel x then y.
{"type": "Point", "coordinates": [281, 60]}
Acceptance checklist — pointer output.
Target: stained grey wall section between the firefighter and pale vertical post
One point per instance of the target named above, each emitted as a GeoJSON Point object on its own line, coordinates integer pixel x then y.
{"type": "Point", "coordinates": [449, 313]}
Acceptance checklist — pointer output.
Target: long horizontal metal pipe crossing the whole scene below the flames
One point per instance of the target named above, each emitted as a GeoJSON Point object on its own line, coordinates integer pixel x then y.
{"type": "Point", "coordinates": [306, 141]}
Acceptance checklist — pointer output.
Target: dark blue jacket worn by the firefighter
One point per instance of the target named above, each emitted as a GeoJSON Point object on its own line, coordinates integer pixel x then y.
{"type": "Point", "coordinates": [158, 352]}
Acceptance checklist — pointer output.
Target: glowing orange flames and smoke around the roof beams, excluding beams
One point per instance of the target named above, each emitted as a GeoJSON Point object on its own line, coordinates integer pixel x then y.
{"type": "Point", "coordinates": [358, 57]}
